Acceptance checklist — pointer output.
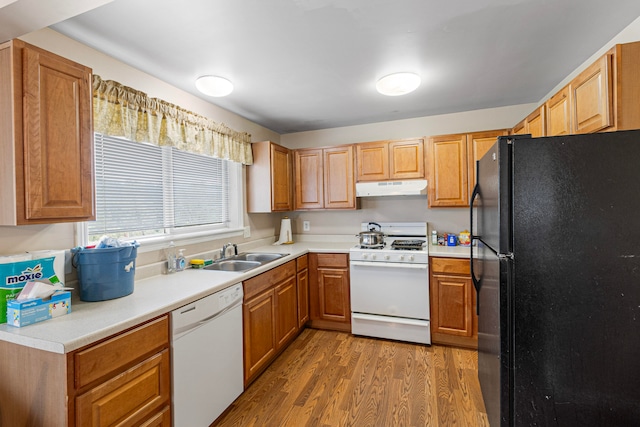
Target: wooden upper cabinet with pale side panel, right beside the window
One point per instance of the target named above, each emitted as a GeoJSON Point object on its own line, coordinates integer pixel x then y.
{"type": "Point", "coordinates": [270, 178]}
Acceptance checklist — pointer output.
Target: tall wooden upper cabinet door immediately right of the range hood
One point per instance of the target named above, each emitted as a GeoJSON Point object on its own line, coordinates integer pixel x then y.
{"type": "Point", "coordinates": [448, 171]}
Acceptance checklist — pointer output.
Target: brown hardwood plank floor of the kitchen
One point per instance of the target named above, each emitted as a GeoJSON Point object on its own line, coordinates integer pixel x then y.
{"type": "Point", "coordinates": [327, 378]}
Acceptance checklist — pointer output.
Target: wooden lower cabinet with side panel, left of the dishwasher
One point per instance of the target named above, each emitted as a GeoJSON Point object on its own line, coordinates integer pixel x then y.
{"type": "Point", "coordinates": [123, 380]}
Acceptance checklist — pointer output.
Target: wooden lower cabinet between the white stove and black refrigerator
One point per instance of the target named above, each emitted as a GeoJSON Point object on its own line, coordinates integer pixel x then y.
{"type": "Point", "coordinates": [453, 300]}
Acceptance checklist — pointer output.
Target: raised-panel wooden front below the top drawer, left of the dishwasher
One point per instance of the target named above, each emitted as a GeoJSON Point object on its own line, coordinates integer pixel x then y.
{"type": "Point", "coordinates": [128, 398]}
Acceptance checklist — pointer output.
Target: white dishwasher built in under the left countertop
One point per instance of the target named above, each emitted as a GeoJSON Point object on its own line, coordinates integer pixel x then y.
{"type": "Point", "coordinates": [207, 372]}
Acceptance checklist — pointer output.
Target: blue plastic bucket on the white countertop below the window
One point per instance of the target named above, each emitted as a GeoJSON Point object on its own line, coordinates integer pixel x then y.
{"type": "Point", "coordinates": [105, 273]}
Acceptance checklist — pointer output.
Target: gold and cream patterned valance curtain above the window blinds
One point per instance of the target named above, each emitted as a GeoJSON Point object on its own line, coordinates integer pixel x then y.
{"type": "Point", "coordinates": [125, 112]}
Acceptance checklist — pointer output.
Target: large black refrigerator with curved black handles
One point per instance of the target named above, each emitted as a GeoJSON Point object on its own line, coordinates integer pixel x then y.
{"type": "Point", "coordinates": [557, 271]}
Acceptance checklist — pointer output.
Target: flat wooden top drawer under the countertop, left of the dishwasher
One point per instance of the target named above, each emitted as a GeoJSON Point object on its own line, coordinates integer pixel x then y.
{"type": "Point", "coordinates": [112, 355]}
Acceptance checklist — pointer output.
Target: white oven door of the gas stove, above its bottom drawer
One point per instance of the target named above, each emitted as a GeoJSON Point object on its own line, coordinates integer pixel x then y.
{"type": "Point", "coordinates": [390, 289]}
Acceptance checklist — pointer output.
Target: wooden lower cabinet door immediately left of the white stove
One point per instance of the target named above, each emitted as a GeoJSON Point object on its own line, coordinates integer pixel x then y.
{"type": "Point", "coordinates": [333, 290]}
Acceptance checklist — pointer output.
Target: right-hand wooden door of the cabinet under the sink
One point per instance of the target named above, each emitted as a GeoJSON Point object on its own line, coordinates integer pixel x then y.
{"type": "Point", "coordinates": [286, 308]}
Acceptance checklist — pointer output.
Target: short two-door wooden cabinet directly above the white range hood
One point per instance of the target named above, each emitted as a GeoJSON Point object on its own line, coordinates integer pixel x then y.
{"type": "Point", "coordinates": [390, 160]}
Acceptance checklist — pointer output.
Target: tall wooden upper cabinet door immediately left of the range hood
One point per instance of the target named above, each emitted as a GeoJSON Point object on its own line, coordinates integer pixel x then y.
{"type": "Point", "coordinates": [339, 179]}
